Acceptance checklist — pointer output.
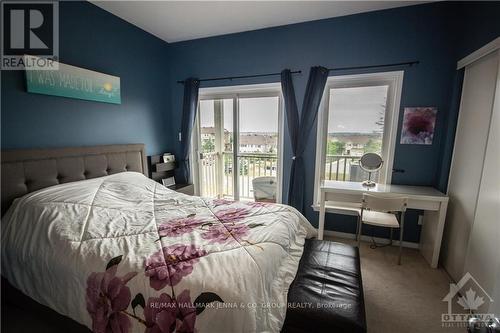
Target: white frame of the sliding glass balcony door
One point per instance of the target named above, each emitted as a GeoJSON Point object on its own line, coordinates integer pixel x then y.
{"type": "Point", "coordinates": [236, 92]}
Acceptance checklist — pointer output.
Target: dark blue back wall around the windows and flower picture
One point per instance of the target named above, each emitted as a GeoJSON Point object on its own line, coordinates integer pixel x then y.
{"type": "Point", "coordinates": [432, 34]}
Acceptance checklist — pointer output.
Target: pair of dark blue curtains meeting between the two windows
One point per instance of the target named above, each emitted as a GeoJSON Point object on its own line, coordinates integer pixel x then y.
{"type": "Point", "coordinates": [300, 130]}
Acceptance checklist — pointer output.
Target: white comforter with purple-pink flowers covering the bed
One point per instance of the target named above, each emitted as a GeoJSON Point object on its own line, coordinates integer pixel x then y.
{"type": "Point", "coordinates": [123, 253]}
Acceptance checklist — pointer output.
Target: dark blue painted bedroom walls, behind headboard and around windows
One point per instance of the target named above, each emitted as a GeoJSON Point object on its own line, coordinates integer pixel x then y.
{"type": "Point", "coordinates": [435, 34]}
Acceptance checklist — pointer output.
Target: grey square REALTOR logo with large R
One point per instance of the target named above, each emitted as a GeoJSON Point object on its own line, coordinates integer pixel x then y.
{"type": "Point", "coordinates": [30, 35]}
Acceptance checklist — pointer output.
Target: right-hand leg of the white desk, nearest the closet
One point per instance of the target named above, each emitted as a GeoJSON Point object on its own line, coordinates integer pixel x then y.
{"type": "Point", "coordinates": [432, 234]}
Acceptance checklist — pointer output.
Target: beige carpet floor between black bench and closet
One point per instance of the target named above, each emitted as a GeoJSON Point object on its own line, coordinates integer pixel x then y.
{"type": "Point", "coordinates": [406, 298]}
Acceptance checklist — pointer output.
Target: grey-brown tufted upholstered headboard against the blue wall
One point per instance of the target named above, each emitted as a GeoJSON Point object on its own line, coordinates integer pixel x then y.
{"type": "Point", "coordinates": [27, 170]}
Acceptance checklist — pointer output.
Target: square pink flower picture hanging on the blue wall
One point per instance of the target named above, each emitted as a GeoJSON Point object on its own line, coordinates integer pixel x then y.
{"type": "Point", "coordinates": [418, 125]}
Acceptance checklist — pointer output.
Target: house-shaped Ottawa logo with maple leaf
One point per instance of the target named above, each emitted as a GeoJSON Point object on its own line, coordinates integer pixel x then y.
{"type": "Point", "coordinates": [466, 299]}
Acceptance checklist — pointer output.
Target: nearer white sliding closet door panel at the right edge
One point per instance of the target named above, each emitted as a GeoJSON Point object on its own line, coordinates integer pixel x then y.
{"type": "Point", "coordinates": [483, 255]}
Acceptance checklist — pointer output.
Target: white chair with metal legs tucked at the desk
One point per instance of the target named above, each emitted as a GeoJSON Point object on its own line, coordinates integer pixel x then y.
{"type": "Point", "coordinates": [381, 212]}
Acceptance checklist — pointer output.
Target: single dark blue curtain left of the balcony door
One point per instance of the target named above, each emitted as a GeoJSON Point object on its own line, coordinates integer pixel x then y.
{"type": "Point", "coordinates": [189, 106]}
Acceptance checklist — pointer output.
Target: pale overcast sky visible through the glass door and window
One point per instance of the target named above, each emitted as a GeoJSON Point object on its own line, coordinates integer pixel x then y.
{"type": "Point", "coordinates": [350, 110]}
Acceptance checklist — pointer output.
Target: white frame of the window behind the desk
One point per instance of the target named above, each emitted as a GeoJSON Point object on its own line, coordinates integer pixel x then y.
{"type": "Point", "coordinates": [394, 80]}
